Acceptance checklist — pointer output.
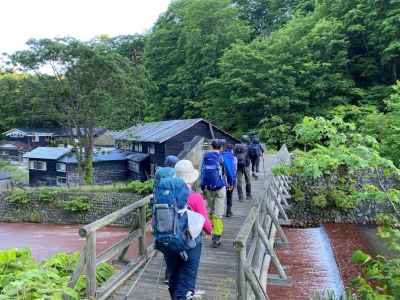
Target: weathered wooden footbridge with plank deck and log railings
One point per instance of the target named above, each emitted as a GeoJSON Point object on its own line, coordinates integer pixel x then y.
{"type": "Point", "coordinates": [237, 270]}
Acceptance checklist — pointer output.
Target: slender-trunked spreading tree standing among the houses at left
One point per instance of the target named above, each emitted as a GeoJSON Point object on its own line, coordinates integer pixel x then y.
{"type": "Point", "coordinates": [87, 82]}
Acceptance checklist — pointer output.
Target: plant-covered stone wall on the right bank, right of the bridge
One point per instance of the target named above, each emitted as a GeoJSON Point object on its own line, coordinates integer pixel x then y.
{"type": "Point", "coordinates": [303, 213]}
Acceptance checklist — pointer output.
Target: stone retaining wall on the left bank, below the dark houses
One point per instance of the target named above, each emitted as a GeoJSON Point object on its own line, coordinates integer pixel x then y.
{"type": "Point", "coordinates": [101, 204]}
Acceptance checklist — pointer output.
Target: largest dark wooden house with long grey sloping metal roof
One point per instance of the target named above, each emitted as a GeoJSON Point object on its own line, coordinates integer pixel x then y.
{"type": "Point", "coordinates": [160, 139]}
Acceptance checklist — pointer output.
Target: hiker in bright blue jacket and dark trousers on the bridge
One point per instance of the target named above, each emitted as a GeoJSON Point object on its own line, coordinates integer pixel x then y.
{"type": "Point", "coordinates": [230, 168]}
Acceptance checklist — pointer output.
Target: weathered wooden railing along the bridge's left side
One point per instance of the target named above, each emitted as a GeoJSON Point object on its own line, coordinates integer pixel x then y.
{"type": "Point", "coordinates": [89, 259]}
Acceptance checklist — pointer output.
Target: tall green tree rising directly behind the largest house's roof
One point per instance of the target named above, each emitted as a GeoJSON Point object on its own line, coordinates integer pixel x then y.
{"type": "Point", "coordinates": [183, 50]}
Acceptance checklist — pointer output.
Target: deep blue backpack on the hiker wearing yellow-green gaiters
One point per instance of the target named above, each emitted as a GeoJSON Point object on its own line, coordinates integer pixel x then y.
{"type": "Point", "coordinates": [211, 171]}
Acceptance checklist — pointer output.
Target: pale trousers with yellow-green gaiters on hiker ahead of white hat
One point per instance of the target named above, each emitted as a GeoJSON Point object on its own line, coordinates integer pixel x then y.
{"type": "Point", "coordinates": [216, 209]}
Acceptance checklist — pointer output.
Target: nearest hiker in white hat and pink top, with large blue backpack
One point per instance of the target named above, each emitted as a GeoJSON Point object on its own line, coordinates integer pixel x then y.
{"type": "Point", "coordinates": [179, 217]}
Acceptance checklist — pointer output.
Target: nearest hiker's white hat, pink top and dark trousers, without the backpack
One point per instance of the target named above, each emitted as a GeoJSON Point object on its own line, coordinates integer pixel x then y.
{"type": "Point", "coordinates": [183, 274]}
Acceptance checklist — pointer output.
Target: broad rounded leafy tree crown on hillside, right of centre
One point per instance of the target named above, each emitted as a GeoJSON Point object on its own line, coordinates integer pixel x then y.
{"type": "Point", "coordinates": [298, 70]}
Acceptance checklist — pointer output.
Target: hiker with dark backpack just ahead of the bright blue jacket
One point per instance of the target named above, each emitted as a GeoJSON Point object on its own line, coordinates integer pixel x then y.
{"type": "Point", "coordinates": [243, 168]}
